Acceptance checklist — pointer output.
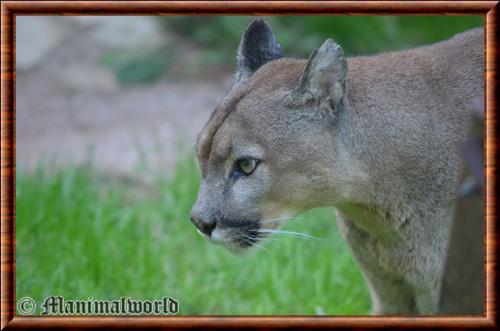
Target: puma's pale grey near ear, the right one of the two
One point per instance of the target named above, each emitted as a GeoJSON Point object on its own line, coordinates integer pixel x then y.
{"type": "Point", "coordinates": [324, 77]}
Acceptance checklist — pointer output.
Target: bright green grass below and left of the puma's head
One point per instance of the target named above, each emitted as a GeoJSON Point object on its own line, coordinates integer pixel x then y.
{"type": "Point", "coordinates": [79, 236]}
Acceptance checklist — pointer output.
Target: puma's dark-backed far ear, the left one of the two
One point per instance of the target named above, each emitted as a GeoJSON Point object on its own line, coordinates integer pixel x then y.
{"type": "Point", "coordinates": [257, 47]}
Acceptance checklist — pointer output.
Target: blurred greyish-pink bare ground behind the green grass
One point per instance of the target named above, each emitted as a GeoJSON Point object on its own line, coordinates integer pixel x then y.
{"type": "Point", "coordinates": [67, 105]}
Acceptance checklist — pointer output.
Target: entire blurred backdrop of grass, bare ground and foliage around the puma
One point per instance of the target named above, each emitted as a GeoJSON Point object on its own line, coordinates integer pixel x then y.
{"type": "Point", "coordinates": [107, 113]}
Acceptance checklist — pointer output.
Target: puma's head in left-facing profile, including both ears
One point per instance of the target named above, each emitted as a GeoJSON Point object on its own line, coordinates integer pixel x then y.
{"type": "Point", "coordinates": [268, 150]}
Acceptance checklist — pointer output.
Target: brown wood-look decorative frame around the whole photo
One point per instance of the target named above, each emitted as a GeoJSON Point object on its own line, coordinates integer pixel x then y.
{"type": "Point", "coordinates": [10, 9]}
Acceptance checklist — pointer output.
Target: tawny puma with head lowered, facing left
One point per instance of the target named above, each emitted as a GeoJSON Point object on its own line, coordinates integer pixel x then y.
{"type": "Point", "coordinates": [376, 137]}
